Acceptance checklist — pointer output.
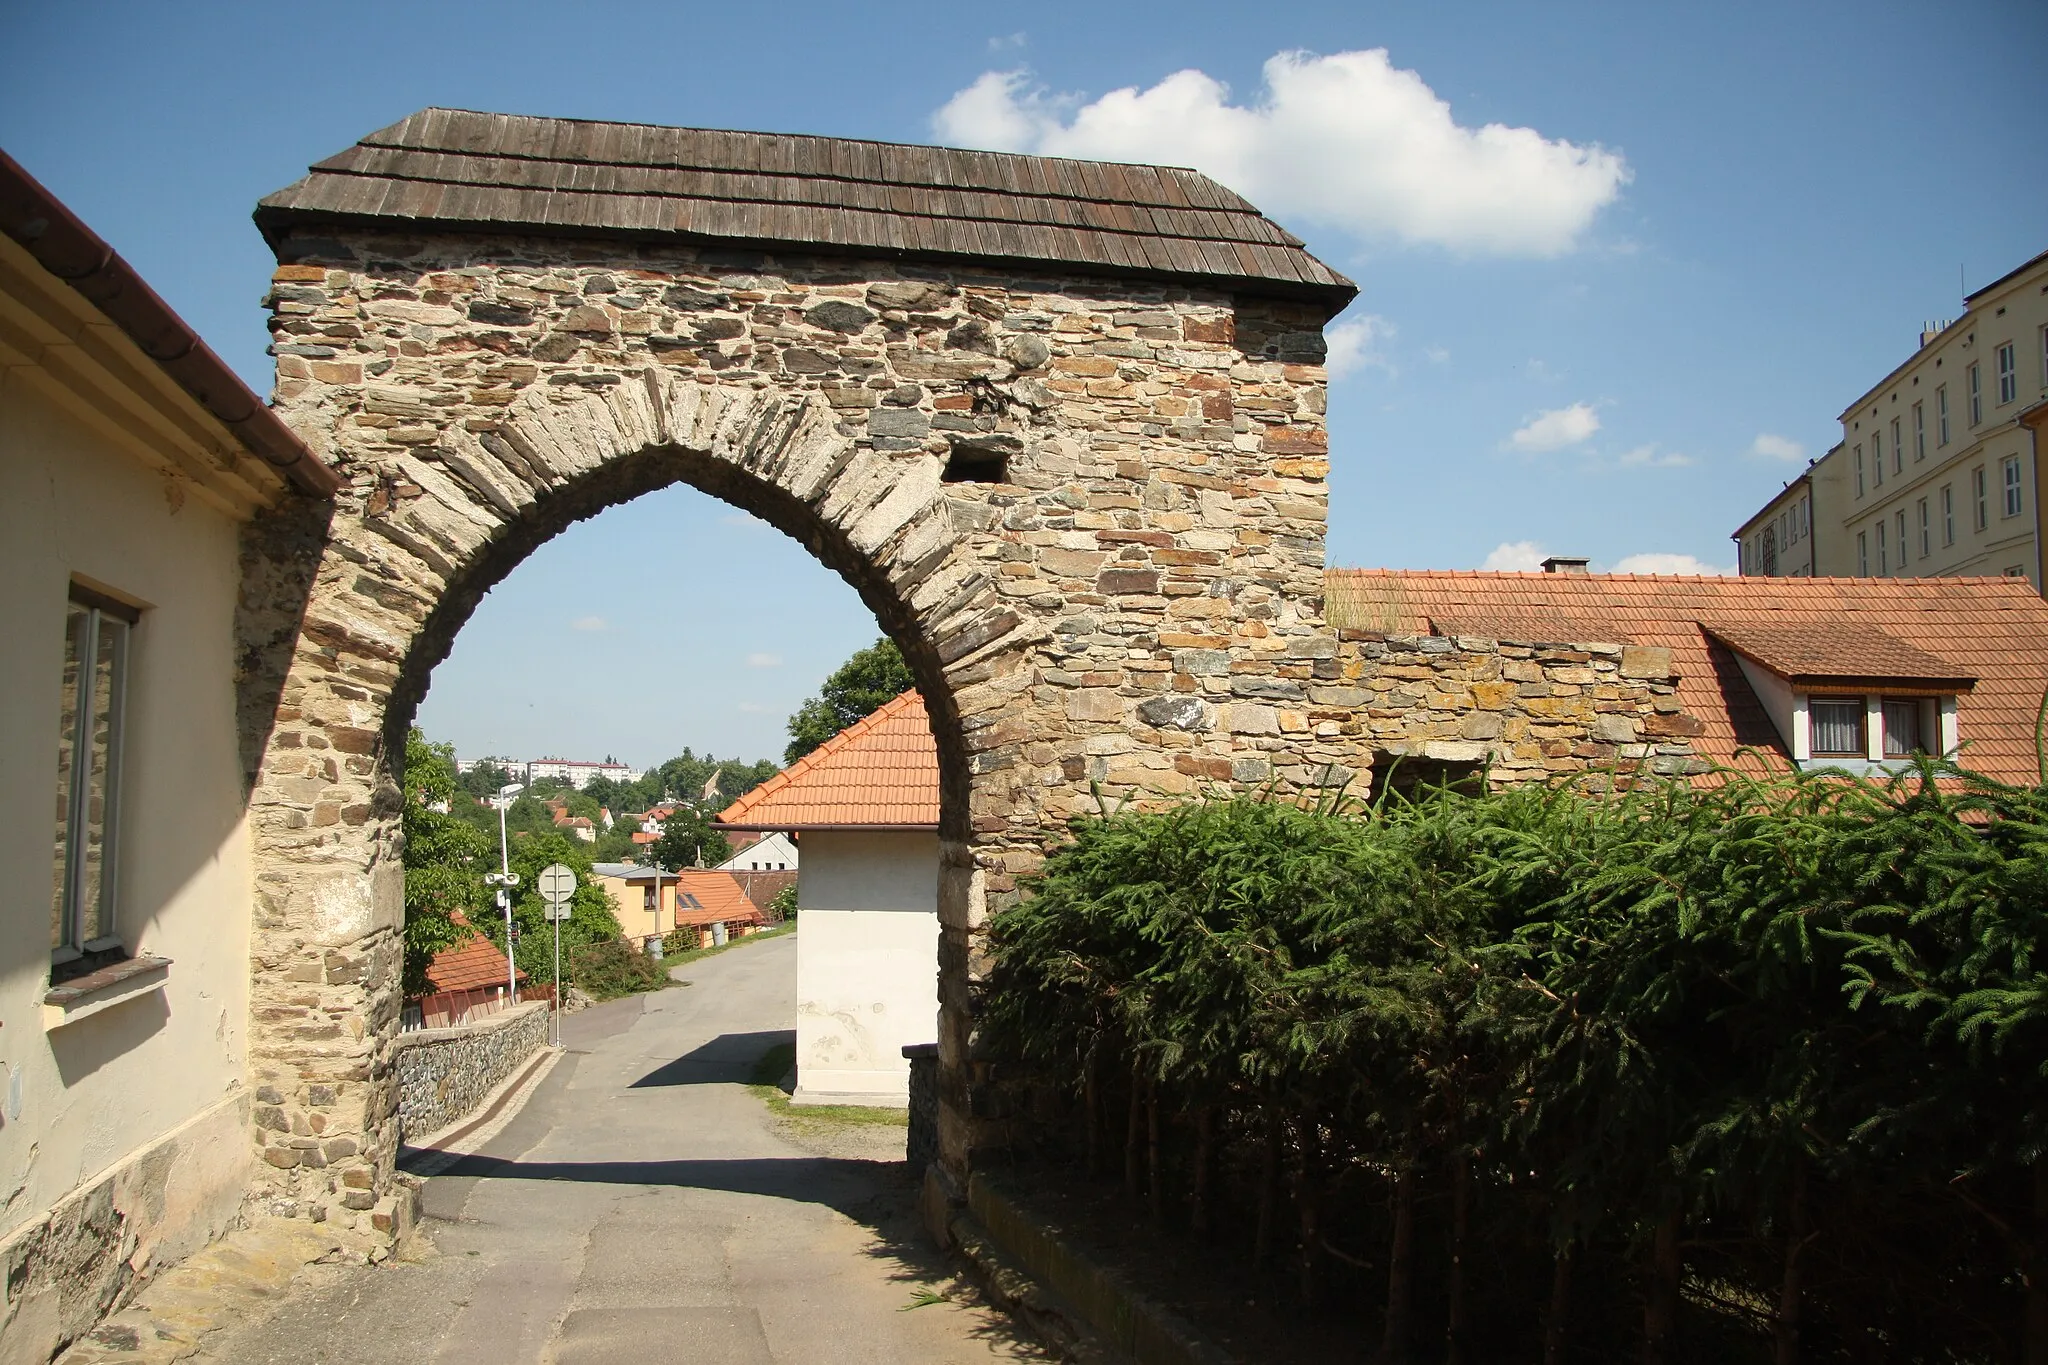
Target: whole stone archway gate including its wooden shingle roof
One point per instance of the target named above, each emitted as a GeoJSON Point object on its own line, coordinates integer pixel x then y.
{"type": "Point", "coordinates": [1058, 423]}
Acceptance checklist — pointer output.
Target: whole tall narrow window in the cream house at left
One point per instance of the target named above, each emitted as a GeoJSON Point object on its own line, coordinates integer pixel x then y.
{"type": "Point", "coordinates": [89, 777]}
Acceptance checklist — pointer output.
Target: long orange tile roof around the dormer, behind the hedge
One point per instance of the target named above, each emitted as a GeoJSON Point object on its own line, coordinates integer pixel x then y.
{"type": "Point", "coordinates": [1988, 629]}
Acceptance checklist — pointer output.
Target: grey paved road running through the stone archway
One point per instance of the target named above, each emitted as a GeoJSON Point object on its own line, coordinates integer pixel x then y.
{"type": "Point", "coordinates": [646, 1206]}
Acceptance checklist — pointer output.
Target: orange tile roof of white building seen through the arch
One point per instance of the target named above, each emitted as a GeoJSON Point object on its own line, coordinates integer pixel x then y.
{"type": "Point", "coordinates": [878, 773]}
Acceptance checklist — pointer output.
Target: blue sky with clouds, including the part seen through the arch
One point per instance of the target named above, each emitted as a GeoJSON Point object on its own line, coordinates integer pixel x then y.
{"type": "Point", "coordinates": [1601, 331]}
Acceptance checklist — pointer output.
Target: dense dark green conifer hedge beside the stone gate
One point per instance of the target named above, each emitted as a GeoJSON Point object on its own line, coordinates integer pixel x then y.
{"type": "Point", "coordinates": [1762, 1059]}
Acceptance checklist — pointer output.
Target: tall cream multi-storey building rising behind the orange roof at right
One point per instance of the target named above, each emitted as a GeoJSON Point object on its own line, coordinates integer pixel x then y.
{"type": "Point", "coordinates": [1938, 470]}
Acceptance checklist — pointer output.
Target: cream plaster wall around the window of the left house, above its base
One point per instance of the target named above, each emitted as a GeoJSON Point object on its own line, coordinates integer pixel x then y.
{"type": "Point", "coordinates": [97, 1090]}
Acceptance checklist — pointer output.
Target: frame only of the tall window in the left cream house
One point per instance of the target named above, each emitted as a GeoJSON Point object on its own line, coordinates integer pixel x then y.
{"type": "Point", "coordinates": [71, 951]}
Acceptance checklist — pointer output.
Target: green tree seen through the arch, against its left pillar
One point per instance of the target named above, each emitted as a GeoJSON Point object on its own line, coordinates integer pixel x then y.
{"type": "Point", "coordinates": [445, 858]}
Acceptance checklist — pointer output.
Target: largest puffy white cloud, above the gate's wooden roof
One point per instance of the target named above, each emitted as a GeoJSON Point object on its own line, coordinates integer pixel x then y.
{"type": "Point", "coordinates": [1345, 140]}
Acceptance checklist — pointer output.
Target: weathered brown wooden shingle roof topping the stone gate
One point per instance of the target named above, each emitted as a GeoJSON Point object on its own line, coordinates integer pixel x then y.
{"type": "Point", "coordinates": [470, 171]}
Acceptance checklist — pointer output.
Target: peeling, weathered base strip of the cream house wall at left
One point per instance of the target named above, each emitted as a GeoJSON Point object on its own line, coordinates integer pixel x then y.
{"type": "Point", "coordinates": [97, 1247]}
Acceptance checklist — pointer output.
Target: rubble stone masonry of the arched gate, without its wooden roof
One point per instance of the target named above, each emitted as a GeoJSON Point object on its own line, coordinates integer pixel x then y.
{"type": "Point", "coordinates": [1162, 504]}
